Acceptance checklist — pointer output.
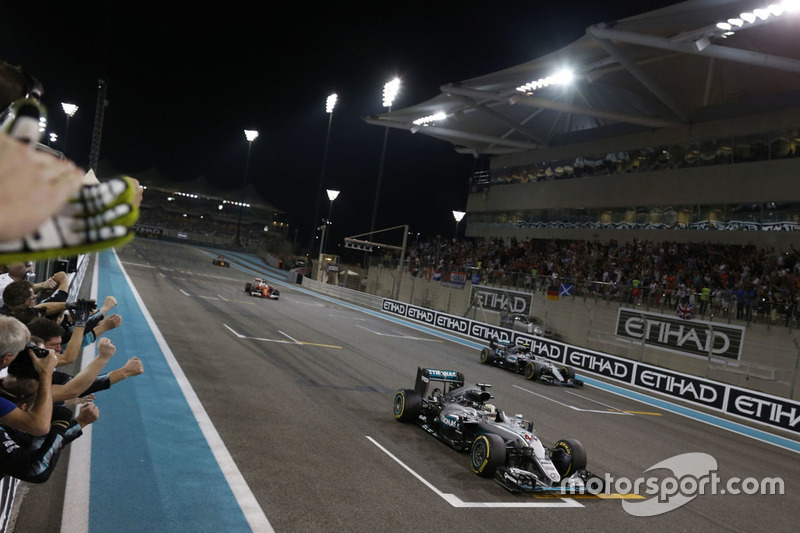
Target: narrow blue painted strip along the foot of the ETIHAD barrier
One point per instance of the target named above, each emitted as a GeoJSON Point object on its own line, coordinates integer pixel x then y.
{"type": "Point", "coordinates": [252, 263]}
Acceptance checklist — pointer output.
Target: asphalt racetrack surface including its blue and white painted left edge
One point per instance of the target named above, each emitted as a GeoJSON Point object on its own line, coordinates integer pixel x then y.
{"type": "Point", "coordinates": [296, 395]}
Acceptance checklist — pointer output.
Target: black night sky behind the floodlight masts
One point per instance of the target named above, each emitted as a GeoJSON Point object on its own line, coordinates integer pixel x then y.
{"type": "Point", "coordinates": [184, 82]}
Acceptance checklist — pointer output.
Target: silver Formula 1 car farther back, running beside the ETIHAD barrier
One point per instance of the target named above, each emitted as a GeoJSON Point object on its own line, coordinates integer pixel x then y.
{"type": "Point", "coordinates": [519, 358]}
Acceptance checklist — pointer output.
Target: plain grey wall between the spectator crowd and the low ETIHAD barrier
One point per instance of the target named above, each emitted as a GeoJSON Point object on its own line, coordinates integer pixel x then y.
{"type": "Point", "coordinates": [767, 360]}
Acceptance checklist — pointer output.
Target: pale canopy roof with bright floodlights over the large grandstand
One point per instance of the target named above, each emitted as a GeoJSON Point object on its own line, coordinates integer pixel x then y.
{"type": "Point", "coordinates": [669, 67]}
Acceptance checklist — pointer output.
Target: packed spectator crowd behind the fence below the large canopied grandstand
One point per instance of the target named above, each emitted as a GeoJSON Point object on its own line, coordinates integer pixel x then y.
{"type": "Point", "coordinates": [723, 281]}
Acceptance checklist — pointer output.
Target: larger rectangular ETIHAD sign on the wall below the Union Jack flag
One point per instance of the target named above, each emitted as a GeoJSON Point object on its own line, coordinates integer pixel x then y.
{"type": "Point", "coordinates": [695, 337]}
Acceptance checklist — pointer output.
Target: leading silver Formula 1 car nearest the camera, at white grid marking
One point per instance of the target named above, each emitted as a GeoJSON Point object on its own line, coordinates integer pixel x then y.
{"type": "Point", "coordinates": [502, 447]}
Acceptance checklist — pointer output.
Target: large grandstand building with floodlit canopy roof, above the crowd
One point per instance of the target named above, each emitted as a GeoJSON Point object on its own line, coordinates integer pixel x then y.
{"type": "Point", "coordinates": [681, 124]}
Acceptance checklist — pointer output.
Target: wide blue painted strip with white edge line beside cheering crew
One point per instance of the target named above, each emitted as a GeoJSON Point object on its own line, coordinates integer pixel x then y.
{"type": "Point", "coordinates": [157, 463]}
